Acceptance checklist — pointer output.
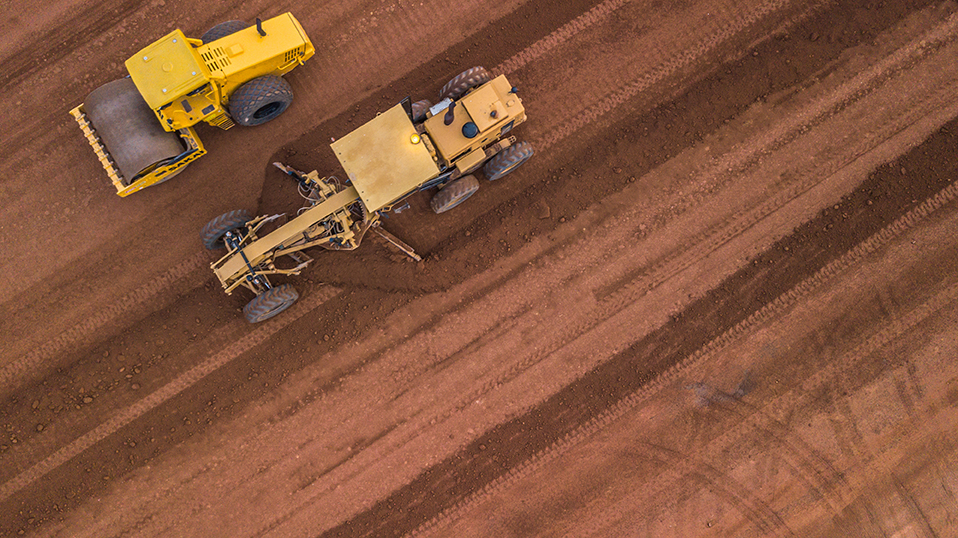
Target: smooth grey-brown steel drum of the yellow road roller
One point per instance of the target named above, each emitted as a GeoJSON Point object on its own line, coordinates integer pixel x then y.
{"type": "Point", "coordinates": [129, 132]}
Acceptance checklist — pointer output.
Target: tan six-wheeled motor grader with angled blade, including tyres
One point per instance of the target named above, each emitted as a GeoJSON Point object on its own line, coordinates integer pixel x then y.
{"type": "Point", "coordinates": [409, 148]}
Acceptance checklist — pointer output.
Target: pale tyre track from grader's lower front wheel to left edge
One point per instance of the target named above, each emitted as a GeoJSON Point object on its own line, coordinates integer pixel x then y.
{"type": "Point", "coordinates": [171, 389]}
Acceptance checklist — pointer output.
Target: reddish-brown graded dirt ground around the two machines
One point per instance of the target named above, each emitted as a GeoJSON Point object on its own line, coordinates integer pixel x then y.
{"type": "Point", "coordinates": [719, 301]}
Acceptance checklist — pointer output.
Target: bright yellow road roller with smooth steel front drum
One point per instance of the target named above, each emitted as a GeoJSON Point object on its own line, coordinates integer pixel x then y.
{"type": "Point", "coordinates": [141, 126]}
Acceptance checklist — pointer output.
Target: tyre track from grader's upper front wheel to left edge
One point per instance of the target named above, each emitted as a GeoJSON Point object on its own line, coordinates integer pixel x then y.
{"type": "Point", "coordinates": [12, 373]}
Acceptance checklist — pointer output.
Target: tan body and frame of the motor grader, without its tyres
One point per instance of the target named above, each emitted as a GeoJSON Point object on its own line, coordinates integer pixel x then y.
{"type": "Point", "coordinates": [386, 160]}
